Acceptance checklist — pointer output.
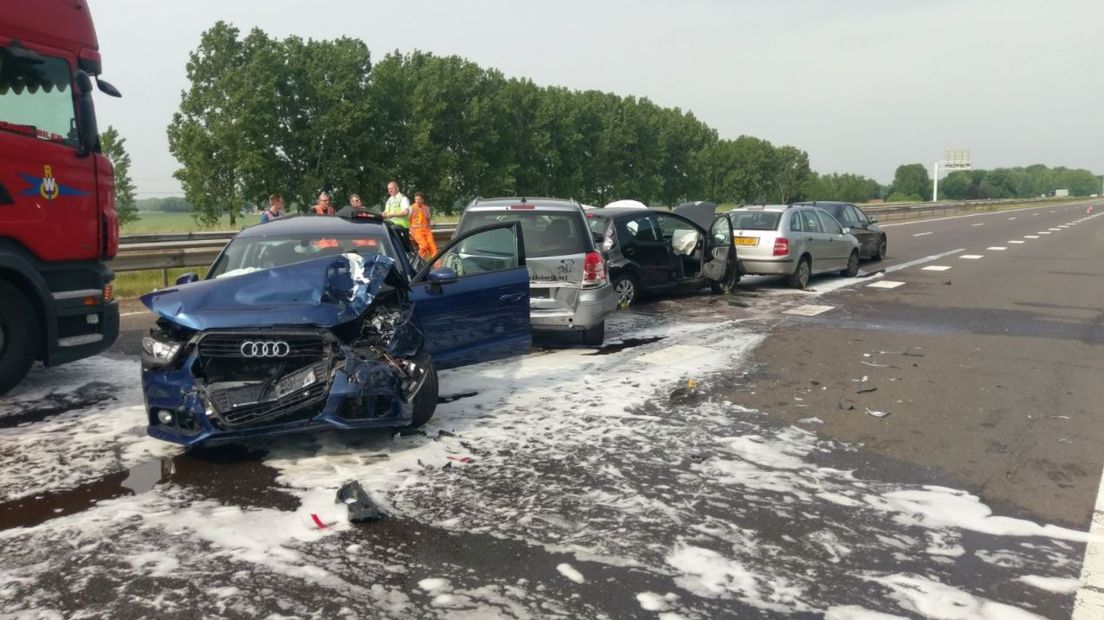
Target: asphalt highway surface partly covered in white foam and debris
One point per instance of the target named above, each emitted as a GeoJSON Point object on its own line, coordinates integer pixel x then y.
{"type": "Point", "coordinates": [921, 442]}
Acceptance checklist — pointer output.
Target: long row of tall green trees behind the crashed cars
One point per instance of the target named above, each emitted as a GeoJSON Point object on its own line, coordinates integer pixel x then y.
{"type": "Point", "coordinates": [295, 117]}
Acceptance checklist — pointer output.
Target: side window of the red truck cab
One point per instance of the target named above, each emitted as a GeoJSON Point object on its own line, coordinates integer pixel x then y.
{"type": "Point", "coordinates": [37, 99]}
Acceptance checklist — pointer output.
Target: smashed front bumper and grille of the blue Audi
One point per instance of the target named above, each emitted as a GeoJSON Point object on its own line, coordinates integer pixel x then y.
{"type": "Point", "coordinates": [237, 386]}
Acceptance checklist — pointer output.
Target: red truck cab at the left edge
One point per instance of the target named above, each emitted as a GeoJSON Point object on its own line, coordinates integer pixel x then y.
{"type": "Point", "coordinates": [58, 221]}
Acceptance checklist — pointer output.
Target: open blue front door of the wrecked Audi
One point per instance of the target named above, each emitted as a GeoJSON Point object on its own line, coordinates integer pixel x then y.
{"type": "Point", "coordinates": [473, 298]}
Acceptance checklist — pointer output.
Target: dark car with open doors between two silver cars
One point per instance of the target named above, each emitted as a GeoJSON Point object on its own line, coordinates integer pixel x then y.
{"type": "Point", "coordinates": [652, 251]}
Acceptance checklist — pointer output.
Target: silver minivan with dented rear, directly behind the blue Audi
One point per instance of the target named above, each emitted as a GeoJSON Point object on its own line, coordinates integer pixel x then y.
{"type": "Point", "coordinates": [569, 288]}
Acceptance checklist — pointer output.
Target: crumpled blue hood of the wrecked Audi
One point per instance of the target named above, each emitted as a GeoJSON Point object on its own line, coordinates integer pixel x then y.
{"type": "Point", "coordinates": [324, 293]}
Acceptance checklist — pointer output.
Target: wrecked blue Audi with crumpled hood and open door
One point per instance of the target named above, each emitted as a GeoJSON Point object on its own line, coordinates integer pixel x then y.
{"type": "Point", "coordinates": [328, 323]}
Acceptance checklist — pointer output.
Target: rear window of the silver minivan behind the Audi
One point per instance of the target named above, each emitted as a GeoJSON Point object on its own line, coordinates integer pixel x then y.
{"type": "Point", "coordinates": [547, 233]}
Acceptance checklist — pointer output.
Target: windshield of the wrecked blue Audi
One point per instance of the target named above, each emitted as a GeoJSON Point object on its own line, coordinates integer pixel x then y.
{"type": "Point", "coordinates": [253, 254]}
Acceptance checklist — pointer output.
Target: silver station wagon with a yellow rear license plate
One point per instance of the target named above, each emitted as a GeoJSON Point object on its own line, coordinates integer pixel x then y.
{"type": "Point", "coordinates": [793, 241]}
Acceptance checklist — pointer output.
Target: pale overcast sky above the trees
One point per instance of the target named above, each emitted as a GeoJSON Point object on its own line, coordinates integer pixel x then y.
{"type": "Point", "coordinates": [862, 85]}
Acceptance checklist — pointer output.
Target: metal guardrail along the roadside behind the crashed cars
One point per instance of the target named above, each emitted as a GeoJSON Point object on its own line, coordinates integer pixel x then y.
{"type": "Point", "coordinates": [199, 250]}
